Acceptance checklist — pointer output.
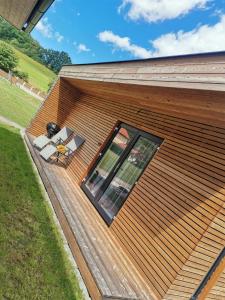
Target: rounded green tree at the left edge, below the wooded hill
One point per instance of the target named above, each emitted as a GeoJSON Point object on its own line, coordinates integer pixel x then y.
{"type": "Point", "coordinates": [8, 58]}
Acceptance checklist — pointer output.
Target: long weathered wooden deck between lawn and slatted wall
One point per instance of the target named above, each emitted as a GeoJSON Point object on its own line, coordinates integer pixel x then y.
{"type": "Point", "coordinates": [106, 269]}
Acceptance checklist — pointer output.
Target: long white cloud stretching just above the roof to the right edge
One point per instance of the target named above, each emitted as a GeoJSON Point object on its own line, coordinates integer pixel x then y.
{"type": "Point", "coordinates": [204, 38]}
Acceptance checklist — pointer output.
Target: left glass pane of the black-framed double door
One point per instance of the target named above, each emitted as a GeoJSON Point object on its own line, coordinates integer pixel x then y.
{"type": "Point", "coordinates": [109, 160]}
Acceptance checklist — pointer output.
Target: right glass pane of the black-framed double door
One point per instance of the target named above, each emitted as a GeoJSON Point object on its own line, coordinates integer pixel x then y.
{"type": "Point", "coordinates": [117, 191]}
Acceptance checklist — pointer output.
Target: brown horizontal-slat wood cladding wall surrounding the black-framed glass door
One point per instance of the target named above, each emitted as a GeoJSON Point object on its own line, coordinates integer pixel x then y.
{"type": "Point", "coordinates": [172, 224]}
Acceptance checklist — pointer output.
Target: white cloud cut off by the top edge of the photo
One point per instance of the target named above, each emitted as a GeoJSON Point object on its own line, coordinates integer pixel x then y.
{"type": "Point", "coordinates": [159, 10]}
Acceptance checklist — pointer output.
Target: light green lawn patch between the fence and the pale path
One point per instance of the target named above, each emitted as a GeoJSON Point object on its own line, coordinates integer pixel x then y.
{"type": "Point", "coordinates": [15, 104]}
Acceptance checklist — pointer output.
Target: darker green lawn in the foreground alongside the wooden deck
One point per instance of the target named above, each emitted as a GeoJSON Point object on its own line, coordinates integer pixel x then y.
{"type": "Point", "coordinates": [33, 263]}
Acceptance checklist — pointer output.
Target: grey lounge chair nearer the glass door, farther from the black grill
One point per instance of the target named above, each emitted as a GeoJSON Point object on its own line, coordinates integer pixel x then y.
{"type": "Point", "coordinates": [52, 153]}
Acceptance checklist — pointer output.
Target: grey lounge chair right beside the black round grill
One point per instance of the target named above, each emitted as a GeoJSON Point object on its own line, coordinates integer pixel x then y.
{"type": "Point", "coordinates": [41, 141]}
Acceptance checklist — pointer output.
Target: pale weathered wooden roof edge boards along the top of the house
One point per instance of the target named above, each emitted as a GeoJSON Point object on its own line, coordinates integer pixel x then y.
{"type": "Point", "coordinates": [196, 71]}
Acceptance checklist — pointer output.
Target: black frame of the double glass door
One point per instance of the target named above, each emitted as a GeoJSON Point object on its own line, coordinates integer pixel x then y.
{"type": "Point", "coordinates": [138, 133]}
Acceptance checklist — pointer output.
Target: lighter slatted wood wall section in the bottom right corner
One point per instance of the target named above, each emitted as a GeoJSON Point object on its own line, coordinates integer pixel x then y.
{"type": "Point", "coordinates": [199, 262]}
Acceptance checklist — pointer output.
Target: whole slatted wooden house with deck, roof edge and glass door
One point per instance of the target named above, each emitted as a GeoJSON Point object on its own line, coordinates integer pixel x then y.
{"type": "Point", "coordinates": [142, 202]}
